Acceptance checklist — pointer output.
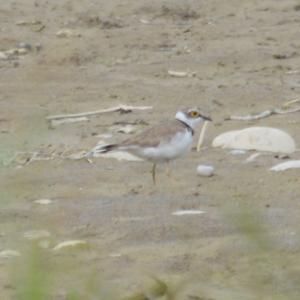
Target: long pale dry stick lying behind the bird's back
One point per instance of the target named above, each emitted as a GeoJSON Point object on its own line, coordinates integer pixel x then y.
{"type": "Point", "coordinates": [121, 108]}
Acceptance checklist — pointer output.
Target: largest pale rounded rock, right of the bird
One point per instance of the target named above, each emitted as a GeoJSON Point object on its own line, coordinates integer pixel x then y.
{"type": "Point", "coordinates": [256, 138]}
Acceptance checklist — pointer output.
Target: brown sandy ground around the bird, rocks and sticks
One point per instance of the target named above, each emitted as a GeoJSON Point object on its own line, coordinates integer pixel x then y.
{"type": "Point", "coordinates": [245, 59]}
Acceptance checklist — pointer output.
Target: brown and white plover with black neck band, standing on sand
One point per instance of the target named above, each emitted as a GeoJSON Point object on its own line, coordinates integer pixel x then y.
{"type": "Point", "coordinates": [163, 142]}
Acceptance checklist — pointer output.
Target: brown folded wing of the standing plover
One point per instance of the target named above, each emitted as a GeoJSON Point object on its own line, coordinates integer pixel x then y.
{"type": "Point", "coordinates": [153, 136]}
